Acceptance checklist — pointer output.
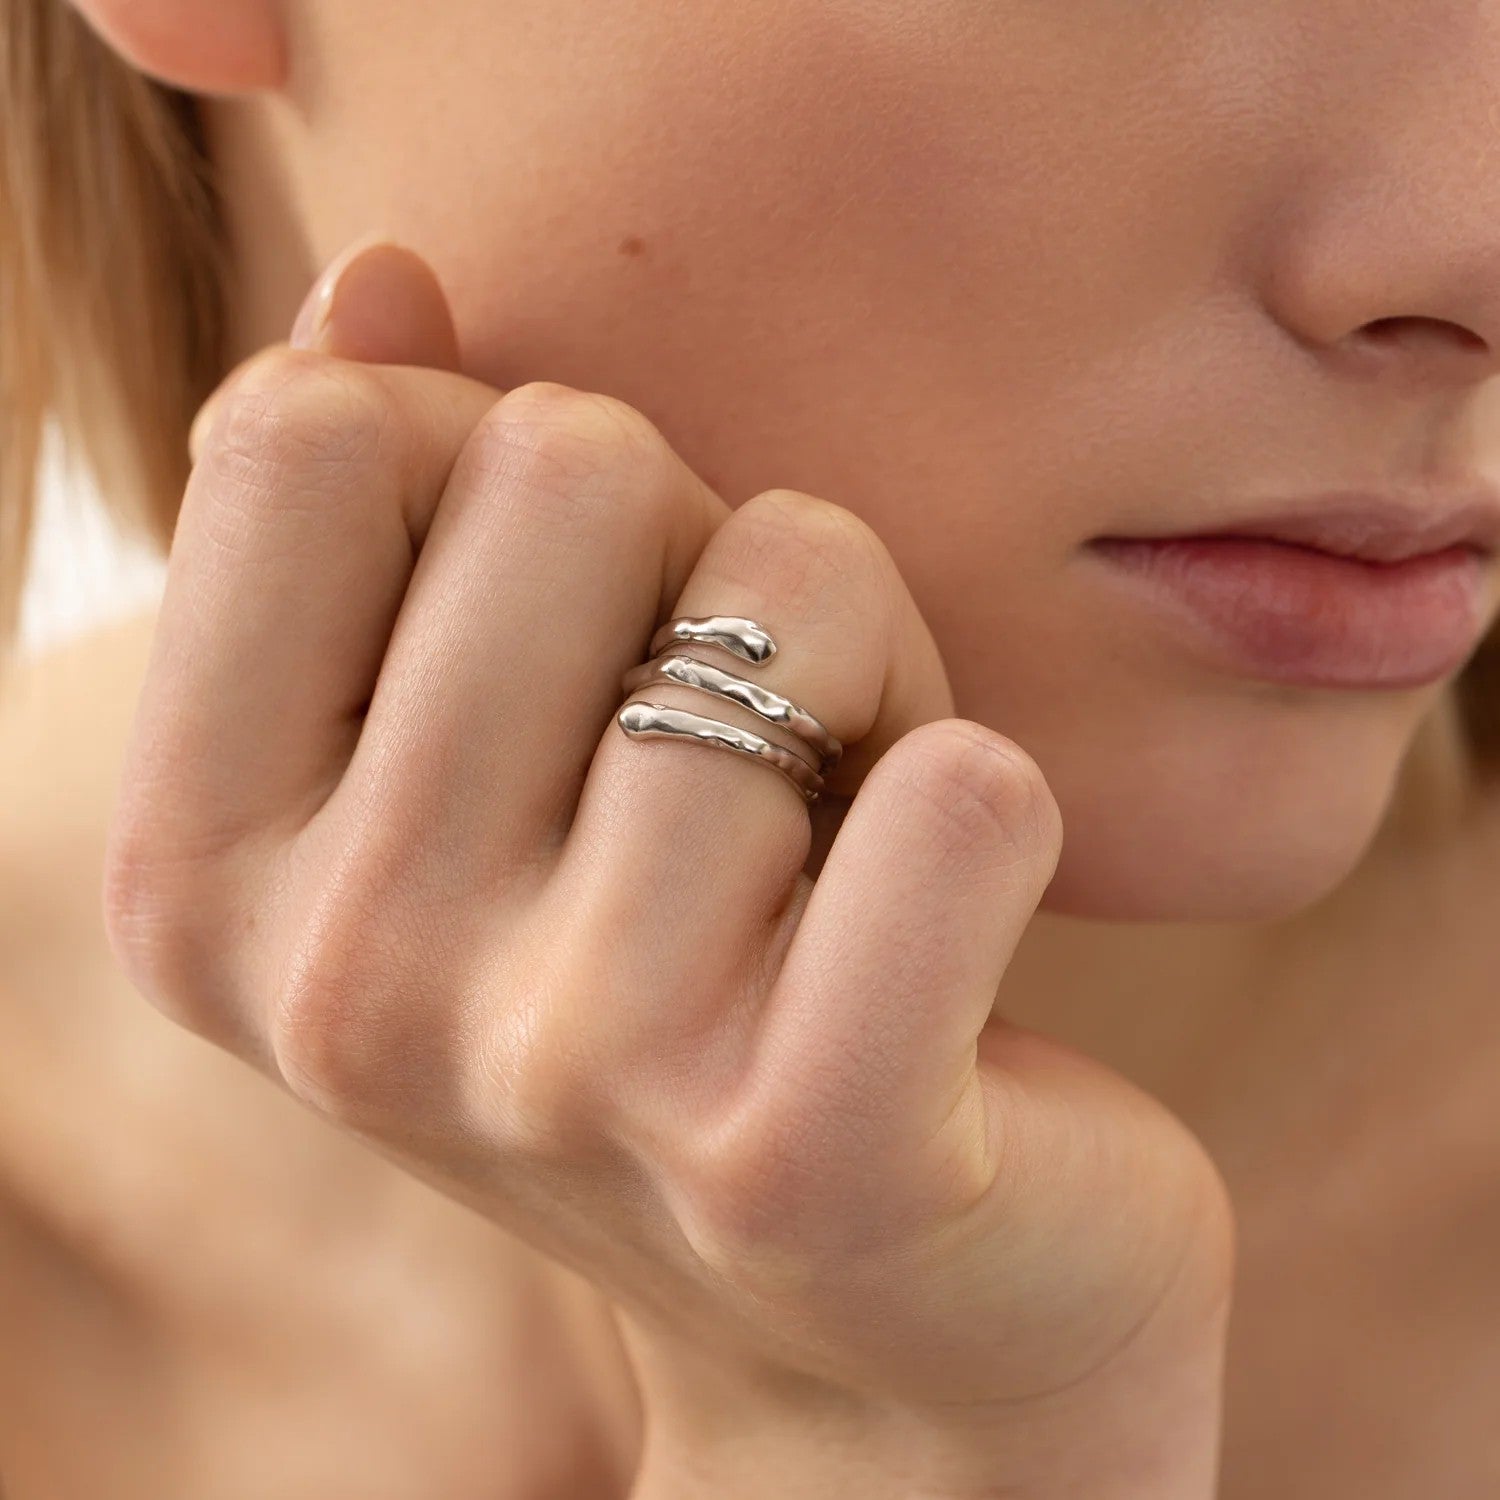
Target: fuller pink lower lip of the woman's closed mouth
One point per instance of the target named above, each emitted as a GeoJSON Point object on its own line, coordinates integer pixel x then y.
{"type": "Point", "coordinates": [1292, 614]}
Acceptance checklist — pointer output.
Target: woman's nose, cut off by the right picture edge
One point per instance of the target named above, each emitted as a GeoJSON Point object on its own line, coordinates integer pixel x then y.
{"type": "Point", "coordinates": [1387, 259]}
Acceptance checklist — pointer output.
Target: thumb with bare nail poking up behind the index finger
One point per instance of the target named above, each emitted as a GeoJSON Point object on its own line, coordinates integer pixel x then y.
{"type": "Point", "coordinates": [376, 302]}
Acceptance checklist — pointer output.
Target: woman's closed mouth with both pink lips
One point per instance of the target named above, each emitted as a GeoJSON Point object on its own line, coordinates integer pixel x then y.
{"type": "Point", "coordinates": [1369, 592]}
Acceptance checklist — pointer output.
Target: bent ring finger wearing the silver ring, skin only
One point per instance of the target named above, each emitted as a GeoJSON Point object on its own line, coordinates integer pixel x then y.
{"type": "Point", "coordinates": [691, 854]}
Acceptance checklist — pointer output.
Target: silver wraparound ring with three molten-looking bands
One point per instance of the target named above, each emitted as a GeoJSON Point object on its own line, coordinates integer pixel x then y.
{"type": "Point", "coordinates": [748, 641]}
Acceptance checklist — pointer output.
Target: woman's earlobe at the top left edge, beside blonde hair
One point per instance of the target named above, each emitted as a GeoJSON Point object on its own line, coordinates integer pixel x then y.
{"type": "Point", "coordinates": [214, 47]}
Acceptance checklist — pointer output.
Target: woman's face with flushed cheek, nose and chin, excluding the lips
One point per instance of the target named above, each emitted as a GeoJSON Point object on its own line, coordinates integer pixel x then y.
{"type": "Point", "coordinates": [1003, 277]}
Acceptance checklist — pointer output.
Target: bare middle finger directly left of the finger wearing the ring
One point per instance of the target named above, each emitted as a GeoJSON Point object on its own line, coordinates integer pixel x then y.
{"type": "Point", "coordinates": [566, 521]}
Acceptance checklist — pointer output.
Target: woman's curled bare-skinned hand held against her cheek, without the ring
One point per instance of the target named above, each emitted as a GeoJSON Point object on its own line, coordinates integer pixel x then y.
{"type": "Point", "coordinates": [380, 835]}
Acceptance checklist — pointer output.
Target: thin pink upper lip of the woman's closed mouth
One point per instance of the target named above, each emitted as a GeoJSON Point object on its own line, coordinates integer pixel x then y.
{"type": "Point", "coordinates": [1381, 527]}
